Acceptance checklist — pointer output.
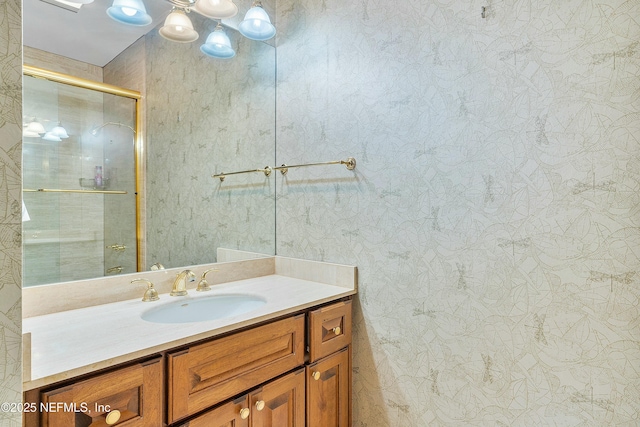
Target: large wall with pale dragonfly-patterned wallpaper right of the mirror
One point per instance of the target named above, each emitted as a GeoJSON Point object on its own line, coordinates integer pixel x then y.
{"type": "Point", "coordinates": [494, 213]}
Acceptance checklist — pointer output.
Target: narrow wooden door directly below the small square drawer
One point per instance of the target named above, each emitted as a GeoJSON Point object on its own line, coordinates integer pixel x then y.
{"type": "Point", "coordinates": [329, 391]}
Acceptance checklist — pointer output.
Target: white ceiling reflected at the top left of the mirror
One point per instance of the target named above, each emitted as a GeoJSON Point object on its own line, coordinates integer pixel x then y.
{"type": "Point", "coordinates": [88, 35]}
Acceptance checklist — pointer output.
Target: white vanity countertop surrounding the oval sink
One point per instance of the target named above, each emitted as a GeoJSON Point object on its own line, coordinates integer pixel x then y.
{"type": "Point", "coordinates": [75, 342]}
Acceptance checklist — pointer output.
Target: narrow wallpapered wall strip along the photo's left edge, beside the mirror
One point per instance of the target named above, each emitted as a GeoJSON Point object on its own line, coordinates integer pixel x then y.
{"type": "Point", "coordinates": [10, 208]}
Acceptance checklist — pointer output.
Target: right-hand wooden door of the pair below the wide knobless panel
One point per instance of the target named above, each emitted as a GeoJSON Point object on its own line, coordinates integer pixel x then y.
{"type": "Point", "coordinates": [280, 403]}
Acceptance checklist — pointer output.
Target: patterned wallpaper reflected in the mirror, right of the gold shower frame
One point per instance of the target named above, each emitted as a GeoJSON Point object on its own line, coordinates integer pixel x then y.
{"type": "Point", "coordinates": [208, 116]}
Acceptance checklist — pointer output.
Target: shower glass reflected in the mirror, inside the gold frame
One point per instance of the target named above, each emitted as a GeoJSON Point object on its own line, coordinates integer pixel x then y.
{"type": "Point", "coordinates": [79, 192]}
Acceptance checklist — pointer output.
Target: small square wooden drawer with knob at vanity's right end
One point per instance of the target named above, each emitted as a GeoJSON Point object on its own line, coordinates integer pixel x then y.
{"type": "Point", "coordinates": [329, 329]}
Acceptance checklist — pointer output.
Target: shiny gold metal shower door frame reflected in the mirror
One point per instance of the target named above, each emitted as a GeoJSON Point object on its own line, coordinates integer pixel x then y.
{"type": "Point", "coordinates": [67, 79]}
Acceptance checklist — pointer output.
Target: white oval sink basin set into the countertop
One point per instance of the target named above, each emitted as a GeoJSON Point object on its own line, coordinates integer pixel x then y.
{"type": "Point", "coordinates": [203, 309]}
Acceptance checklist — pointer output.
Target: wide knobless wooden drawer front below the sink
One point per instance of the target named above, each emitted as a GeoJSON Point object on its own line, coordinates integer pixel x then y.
{"type": "Point", "coordinates": [209, 373]}
